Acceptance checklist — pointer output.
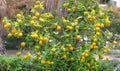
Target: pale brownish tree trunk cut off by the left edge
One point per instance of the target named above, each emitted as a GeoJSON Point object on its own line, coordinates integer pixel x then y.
{"type": "Point", "coordinates": [2, 31]}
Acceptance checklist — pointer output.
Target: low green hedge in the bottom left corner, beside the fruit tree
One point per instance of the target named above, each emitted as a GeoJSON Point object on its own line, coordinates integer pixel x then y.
{"type": "Point", "coordinates": [14, 64]}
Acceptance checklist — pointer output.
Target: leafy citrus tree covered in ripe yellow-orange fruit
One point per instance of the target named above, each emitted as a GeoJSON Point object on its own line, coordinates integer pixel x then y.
{"type": "Point", "coordinates": [76, 42]}
